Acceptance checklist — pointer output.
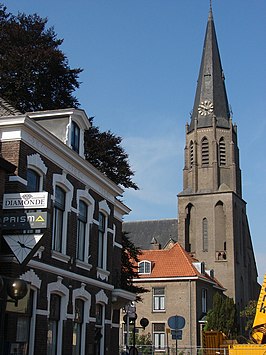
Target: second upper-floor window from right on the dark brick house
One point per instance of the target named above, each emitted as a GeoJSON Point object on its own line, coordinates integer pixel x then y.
{"type": "Point", "coordinates": [82, 230]}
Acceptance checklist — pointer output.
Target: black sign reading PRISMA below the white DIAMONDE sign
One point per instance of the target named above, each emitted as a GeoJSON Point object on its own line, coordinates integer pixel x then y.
{"type": "Point", "coordinates": [23, 220]}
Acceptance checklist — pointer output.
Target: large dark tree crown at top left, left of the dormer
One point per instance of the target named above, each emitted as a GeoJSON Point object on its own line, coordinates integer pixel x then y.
{"type": "Point", "coordinates": [34, 72]}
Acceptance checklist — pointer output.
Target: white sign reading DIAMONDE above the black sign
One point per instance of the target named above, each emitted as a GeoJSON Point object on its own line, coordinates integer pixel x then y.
{"type": "Point", "coordinates": [25, 200]}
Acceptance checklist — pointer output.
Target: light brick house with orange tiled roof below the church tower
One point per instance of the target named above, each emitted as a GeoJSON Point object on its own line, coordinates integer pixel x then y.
{"type": "Point", "coordinates": [177, 284]}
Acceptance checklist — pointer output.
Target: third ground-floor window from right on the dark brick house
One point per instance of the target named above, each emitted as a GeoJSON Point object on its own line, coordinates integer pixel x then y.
{"type": "Point", "coordinates": [53, 324]}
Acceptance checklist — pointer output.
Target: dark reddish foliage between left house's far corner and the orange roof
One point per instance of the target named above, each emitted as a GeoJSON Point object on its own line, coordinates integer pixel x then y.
{"type": "Point", "coordinates": [130, 256]}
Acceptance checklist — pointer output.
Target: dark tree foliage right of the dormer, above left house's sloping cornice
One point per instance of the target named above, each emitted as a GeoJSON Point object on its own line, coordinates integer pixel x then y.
{"type": "Point", "coordinates": [104, 151]}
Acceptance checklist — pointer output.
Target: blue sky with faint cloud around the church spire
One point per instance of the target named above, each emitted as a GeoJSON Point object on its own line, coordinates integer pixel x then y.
{"type": "Point", "coordinates": [140, 63]}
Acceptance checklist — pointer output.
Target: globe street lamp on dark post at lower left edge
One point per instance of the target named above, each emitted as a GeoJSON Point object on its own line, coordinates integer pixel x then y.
{"type": "Point", "coordinates": [16, 289]}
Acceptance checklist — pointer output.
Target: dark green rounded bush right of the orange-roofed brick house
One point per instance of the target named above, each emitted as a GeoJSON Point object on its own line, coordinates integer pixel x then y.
{"type": "Point", "coordinates": [222, 316]}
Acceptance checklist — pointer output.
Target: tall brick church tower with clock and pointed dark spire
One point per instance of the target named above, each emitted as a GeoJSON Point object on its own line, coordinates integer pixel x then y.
{"type": "Point", "coordinates": [212, 220]}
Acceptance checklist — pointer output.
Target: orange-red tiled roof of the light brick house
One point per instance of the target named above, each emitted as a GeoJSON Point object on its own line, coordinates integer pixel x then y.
{"type": "Point", "coordinates": [174, 262]}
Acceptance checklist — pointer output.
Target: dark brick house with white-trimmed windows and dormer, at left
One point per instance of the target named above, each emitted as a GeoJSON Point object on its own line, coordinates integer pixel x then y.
{"type": "Point", "coordinates": [73, 266]}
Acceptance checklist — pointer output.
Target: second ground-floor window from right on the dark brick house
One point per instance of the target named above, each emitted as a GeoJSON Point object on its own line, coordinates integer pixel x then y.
{"type": "Point", "coordinates": [77, 327]}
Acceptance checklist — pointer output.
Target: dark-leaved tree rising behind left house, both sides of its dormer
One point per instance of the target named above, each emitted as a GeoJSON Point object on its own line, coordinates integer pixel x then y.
{"type": "Point", "coordinates": [35, 75]}
